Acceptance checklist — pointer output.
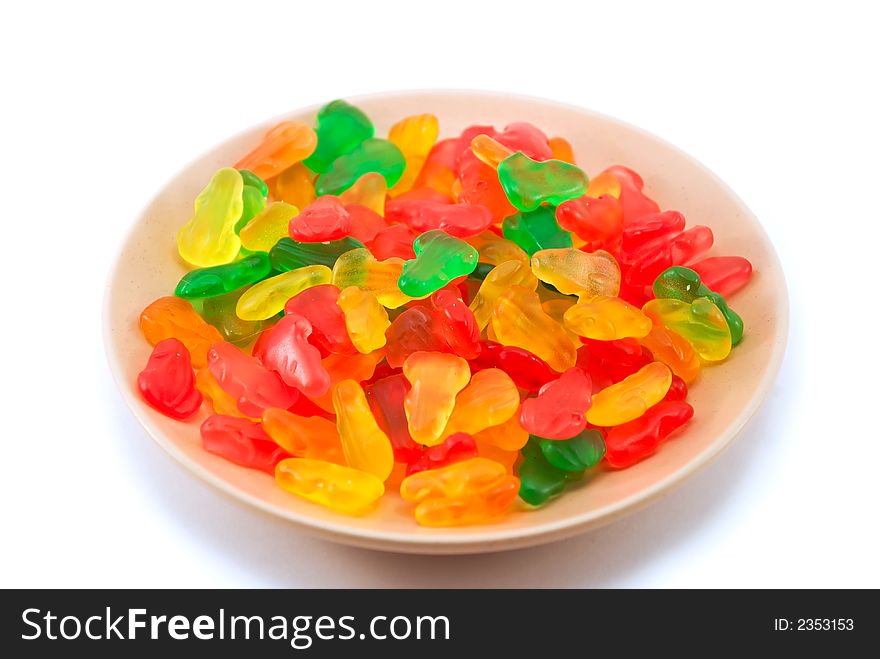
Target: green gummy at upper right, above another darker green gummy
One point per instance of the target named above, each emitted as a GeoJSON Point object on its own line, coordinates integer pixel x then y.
{"type": "Point", "coordinates": [529, 183]}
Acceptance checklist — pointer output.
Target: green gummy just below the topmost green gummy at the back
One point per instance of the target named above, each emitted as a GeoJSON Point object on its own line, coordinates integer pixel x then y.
{"type": "Point", "coordinates": [373, 155]}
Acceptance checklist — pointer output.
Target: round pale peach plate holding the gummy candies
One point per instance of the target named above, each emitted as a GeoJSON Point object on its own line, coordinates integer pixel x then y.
{"type": "Point", "coordinates": [724, 396]}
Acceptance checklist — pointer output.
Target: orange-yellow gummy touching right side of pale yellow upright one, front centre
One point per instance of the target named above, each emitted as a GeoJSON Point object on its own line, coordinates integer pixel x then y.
{"type": "Point", "coordinates": [490, 399]}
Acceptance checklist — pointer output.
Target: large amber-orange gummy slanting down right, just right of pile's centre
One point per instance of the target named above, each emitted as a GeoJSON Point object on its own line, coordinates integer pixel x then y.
{"type": "Point", "coordinates": [518, 320]}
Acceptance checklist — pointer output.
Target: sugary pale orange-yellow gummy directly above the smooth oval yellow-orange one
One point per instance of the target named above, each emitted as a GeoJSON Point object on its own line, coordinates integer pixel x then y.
{"type": "Point", "coordinates": [574, 272]}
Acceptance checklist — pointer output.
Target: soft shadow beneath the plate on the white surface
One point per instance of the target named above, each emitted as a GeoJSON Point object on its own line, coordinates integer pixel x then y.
{"type": "Point", "coordinates": [277, 556]}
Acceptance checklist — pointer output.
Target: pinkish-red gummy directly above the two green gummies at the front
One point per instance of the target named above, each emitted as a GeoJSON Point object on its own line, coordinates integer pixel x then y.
{"type": "Point", "coordinates": [557, 412]}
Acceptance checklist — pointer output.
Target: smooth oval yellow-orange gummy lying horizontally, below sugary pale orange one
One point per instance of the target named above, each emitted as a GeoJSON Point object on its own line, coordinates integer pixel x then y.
{"type": "Point", "coordinates": [606, 319]}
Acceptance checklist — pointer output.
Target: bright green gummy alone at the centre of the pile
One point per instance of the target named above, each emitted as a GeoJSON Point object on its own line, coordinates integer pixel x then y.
{"type": "Point", "coordinates": [440, 258]}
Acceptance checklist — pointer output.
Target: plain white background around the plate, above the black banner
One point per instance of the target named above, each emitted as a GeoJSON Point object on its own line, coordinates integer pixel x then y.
{"type": "Point", "coordinates": [102, 103]}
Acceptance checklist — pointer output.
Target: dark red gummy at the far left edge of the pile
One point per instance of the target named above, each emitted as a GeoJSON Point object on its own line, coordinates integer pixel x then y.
{"type": "Point", "coordinates": [167, 382]}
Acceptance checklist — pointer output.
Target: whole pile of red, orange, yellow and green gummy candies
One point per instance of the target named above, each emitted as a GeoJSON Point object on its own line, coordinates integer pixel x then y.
{"type": "Point", "coordinates": [468, 321]}
